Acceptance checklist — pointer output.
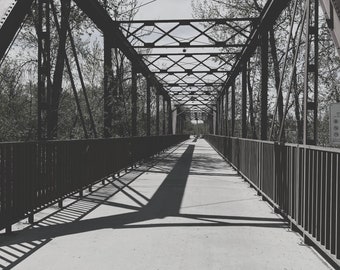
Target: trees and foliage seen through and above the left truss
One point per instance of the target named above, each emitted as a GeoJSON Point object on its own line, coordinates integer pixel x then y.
{"type": "Point", "coordinates": [18, 79]}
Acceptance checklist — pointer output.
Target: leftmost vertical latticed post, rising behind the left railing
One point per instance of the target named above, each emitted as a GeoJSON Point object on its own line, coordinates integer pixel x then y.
{"type": "Point", "coordinates": [44, 68]}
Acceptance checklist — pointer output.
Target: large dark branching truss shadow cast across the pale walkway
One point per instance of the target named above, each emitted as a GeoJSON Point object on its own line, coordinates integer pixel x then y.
{"type": "Point", "coordinates": [165, 202]}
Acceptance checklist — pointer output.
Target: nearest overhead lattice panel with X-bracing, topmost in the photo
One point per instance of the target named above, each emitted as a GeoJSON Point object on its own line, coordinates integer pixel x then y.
{"type": "Point", "coordinates": [164, 30]}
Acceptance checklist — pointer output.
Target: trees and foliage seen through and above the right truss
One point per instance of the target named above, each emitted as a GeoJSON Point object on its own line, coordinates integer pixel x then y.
{"type": "Point", "coordinates": [329, 63]}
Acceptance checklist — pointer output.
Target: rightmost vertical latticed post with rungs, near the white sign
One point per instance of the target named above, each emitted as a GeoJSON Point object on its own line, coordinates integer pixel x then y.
{"type": "Point", "coordinates": [310, 108]}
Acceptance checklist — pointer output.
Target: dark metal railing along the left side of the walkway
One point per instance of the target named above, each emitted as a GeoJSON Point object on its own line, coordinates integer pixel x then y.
{"type": "Point", "coordinates": [36, 174]}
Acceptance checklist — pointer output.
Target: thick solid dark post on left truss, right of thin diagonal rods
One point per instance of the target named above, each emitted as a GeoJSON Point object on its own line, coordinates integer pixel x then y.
{"type": "Point", "coordinates": [108, 84]}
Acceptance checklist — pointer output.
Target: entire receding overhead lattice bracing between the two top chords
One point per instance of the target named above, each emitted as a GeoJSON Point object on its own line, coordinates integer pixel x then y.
{"type": "Point", "coordinates": [187, 56]}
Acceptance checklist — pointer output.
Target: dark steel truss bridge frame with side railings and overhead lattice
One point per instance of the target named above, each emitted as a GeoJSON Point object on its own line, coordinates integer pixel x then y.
{"type": "Point", "coordinates": [194, 73]}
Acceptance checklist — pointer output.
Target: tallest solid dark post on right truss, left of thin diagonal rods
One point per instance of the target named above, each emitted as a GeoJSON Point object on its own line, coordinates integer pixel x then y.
{"type": "Point", "coordinates": [264, 85]}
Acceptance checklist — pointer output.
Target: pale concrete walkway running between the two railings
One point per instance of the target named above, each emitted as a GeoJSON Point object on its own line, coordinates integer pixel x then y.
{"type": "Point", "coordinates": [187, 209]}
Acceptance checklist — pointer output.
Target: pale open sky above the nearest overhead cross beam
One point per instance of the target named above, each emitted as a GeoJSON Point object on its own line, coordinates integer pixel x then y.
{"type": "Point", "coordinates": [165, 9]}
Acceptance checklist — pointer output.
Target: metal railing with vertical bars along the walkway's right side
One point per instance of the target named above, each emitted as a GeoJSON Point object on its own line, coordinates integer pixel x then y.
{"type": "Point", "coordinates": [301, 182]}
